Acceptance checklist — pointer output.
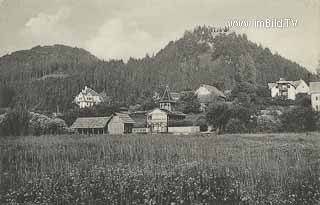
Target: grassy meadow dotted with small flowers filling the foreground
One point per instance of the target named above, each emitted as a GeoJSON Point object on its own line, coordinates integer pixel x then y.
{"type": "Point", "coordinates": [161, 169]}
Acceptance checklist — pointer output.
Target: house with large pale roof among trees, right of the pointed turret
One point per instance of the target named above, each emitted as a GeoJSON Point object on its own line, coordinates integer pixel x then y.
{"type": "Point", "coordinates": [208, 94]}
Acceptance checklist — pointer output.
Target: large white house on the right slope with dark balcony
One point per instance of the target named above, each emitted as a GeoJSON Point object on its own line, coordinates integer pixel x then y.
{"type": "Point", "coordinates": [288, 89]}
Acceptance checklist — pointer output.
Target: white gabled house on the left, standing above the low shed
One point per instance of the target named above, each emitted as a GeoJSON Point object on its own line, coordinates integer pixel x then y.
{"type": "Point", "coordinates": [88, 98]}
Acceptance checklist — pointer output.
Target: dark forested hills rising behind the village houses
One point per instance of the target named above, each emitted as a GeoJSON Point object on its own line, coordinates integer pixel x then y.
{"type": "Point", "coordinates": [44, 77]}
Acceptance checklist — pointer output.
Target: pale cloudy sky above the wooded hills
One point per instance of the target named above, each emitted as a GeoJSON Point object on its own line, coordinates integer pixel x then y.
{"type": "Point", "coordinates": [123, 28]}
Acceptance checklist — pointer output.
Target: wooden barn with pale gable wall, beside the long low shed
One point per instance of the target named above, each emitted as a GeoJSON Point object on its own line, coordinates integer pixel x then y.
{"type": "Point", "coordinates": [120, 123]}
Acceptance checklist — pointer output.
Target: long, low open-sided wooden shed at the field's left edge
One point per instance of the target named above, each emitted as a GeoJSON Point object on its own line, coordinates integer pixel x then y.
{"type": "Point", "coordinates": [91, 125]}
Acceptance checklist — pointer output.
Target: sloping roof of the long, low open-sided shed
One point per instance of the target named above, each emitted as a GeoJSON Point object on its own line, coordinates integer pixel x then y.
{"type": "Point", "coordinates": [91, 122]}
